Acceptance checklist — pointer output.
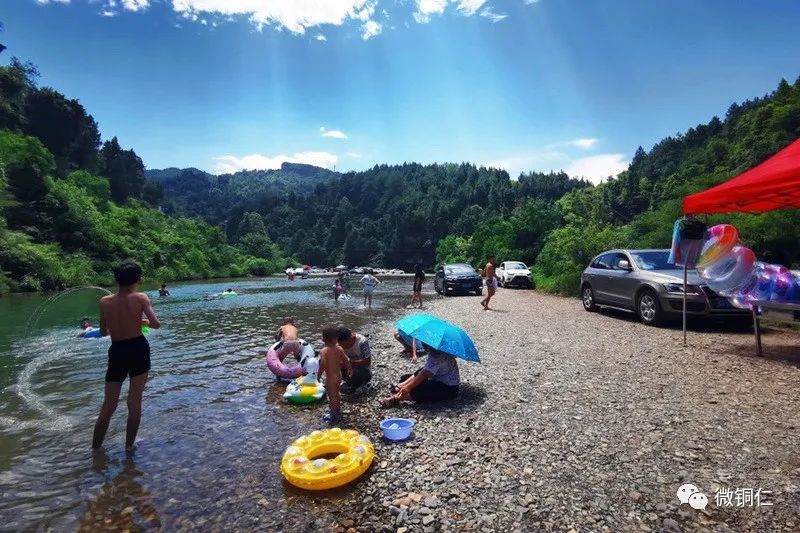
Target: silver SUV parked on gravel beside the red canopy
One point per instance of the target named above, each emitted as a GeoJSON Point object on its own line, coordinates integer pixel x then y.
{"type": "Point", "coordinates": [644, 282]}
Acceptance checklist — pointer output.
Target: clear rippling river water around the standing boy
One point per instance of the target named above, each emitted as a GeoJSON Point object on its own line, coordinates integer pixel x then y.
{"type": "Point", "coordinates": [214, 423]}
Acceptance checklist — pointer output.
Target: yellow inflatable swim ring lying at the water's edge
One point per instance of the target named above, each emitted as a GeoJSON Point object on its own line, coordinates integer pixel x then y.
{"type": "Point", "coordinates": [303, 467]}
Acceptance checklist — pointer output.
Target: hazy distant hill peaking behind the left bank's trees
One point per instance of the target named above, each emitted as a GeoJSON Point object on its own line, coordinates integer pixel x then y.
{"type": "Point", "coordinates": [198, 193]}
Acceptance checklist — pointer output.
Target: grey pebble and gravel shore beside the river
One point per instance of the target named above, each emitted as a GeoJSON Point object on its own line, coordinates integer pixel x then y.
{"type": "Point", "coordinates": [579, 421]}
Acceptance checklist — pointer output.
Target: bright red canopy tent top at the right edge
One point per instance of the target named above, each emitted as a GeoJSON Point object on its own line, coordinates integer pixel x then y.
{"type": "Point", "coordinates": [774, 184]}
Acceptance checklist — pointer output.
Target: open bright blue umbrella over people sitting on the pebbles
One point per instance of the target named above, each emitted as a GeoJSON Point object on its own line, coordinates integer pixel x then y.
{"type": "Point", "coordinates": [439, 335]}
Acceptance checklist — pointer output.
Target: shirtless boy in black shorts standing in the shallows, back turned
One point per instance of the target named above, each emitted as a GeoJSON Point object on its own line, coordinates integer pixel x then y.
{"type": "Point", "coordinates": [129, 354]}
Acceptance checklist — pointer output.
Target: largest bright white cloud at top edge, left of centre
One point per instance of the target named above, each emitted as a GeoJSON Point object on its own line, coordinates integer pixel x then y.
{"type": "Point", "coordinates": [294, 15]}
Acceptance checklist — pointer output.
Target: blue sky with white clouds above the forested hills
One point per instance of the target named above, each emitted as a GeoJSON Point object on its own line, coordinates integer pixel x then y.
{"type": "Point", "coordinates": [574, 85]}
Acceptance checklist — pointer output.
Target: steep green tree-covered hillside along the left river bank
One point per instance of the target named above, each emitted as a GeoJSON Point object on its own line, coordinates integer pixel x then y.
{"type": "Point", "coordinates": [71, 206]}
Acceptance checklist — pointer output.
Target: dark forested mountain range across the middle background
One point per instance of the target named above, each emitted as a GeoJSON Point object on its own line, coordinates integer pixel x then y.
{"type": "Point", "coordinates": [388, 215]}
